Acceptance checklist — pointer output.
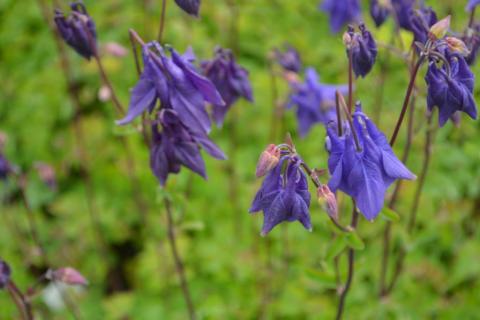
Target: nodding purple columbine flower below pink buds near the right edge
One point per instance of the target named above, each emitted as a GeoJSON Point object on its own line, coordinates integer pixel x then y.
{"type": "Point", "coordinates": [450, 92]}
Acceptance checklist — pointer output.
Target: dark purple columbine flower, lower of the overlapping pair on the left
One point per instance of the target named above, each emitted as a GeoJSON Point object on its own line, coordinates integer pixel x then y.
{"type": "Point", "coordinates": [176, 144]}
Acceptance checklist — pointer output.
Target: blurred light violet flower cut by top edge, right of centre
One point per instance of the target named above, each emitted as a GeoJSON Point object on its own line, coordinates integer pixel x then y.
{"type": "Point", "coordinates": [341, 12]}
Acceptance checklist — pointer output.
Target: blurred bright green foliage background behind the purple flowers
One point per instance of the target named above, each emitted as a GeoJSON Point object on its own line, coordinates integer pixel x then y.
{"type": "Point", "coordinates": [233, 273]}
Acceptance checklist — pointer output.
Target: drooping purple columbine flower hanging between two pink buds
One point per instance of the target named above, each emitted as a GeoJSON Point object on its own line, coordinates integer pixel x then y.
{"type": "Point", "coordinates": [283, 196]}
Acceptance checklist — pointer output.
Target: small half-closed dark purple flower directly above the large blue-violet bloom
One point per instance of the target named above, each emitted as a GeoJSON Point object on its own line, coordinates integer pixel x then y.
{"type": "Point", "coordinates": [362, 48]}
